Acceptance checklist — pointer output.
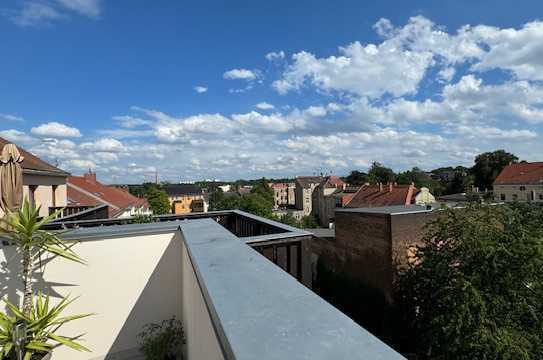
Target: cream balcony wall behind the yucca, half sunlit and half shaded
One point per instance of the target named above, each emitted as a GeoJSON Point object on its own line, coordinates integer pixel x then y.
{"type": "Point", "coordinates": [128, 282]}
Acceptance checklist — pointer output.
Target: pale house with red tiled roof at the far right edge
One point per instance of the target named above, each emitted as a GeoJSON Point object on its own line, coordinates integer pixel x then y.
{"type": "Point", "coordinates": [520, 182]}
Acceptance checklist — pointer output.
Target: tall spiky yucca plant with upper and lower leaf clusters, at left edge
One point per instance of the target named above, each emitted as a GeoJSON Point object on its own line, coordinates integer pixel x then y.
{"type": "Point", "coordinates": [33, 329]}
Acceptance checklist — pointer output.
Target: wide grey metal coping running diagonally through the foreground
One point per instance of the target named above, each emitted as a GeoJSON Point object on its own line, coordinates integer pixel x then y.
{"type": "Point", "coordinates": [261, 312]}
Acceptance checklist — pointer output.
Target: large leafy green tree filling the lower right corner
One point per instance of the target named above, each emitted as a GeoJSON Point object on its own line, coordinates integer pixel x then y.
{"type": "Point", "coordinates": [475, 287]}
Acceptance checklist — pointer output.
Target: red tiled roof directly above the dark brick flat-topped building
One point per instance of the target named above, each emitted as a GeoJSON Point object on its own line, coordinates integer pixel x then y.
{"type": "Point", "coordinates": [373, 196]}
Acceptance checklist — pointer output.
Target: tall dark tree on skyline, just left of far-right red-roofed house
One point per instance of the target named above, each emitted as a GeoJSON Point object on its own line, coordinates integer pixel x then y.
{"type": "Point", "coordinates": [488, 166]}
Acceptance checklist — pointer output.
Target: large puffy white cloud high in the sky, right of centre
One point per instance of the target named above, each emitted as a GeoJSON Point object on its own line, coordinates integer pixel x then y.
{"type": "Point", "coordinates": [363, 70]}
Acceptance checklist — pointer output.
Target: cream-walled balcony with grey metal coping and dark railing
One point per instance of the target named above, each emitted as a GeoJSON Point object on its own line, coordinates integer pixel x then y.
{"type": "Point", "coordinates": [234, 302]}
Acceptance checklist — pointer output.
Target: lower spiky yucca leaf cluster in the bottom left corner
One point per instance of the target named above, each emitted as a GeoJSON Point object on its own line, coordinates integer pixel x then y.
{"type": "Point", "coordinates": [43, 325]}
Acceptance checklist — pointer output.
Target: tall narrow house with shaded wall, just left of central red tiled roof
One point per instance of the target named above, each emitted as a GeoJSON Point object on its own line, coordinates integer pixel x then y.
{"type": "Point", "coordinates": [328, 196]}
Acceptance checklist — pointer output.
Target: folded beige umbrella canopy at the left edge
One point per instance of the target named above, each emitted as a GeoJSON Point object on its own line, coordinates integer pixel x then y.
{"type": "Point", "coordinates": [11, 179]}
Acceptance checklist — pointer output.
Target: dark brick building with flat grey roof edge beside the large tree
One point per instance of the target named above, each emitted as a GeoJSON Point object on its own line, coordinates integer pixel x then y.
{"type": "Point", "coordinates": [370, 244]}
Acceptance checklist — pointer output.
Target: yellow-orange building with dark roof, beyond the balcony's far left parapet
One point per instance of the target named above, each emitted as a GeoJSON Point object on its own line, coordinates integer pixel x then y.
{"type": "Point", "coordinates": [186, 198]}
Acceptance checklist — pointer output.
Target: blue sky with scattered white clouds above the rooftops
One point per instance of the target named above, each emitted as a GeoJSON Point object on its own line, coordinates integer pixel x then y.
{"type": "Point", "coordinates": [244, 89]}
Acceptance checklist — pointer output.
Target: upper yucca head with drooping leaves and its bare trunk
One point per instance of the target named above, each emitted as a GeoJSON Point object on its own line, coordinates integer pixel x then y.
{"type": "Point", "coordinates": [24, 230]}
